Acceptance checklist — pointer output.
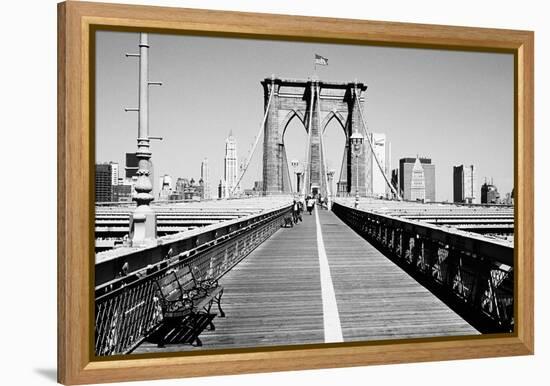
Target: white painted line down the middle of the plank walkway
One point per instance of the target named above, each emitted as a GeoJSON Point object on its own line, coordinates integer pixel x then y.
{"type": "Point", "coordinates": [331, 317]}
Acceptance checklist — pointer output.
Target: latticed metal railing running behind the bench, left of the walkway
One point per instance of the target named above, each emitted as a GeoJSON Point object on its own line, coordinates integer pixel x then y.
{"type": "Point", "coordinates": [127, 308]}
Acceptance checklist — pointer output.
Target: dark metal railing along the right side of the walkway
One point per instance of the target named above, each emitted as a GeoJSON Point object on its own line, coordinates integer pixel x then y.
{"type": "Point", "coordinates": [472, 274]}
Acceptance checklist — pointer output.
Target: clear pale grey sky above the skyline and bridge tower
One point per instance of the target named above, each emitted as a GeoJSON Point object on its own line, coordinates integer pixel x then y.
{"type": "Point", "coordinates": [454, 107]}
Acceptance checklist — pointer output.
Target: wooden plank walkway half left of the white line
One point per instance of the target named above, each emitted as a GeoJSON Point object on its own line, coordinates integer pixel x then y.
{"type": "Point", "coordinates": [272, 297]}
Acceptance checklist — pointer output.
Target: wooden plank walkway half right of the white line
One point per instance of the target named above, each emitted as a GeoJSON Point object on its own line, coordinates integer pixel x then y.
{"type": "Point", "coordinates": [377, 299]}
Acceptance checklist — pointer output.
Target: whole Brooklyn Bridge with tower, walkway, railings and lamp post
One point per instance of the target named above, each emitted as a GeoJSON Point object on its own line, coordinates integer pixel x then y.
{"type": "Point", "coordinates": [249, 272]}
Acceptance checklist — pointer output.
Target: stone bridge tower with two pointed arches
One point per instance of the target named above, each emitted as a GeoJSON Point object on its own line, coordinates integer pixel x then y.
{"type": "Point", "coordinates": [314, 103]}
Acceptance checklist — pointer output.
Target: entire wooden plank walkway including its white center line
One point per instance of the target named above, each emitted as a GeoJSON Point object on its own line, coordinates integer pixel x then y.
{"type": "Point", "coordinates": [298, 289]}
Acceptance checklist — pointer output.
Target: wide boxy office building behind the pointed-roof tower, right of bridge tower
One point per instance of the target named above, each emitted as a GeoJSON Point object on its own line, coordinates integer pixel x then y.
{"type": "Point", "coordinates": [406, 166]}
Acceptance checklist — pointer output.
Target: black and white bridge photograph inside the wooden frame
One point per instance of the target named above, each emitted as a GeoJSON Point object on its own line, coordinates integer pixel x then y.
{"type": "Point", "coordinates": [255, 193]}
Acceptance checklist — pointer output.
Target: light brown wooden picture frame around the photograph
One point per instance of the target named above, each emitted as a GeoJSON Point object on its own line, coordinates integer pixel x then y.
{"type": "Point", "coordinates": [76, 20]}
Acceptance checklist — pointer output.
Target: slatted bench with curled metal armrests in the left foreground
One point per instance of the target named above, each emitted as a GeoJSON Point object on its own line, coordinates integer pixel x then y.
{"type": "Point", "coordinates": [186, 306]}
